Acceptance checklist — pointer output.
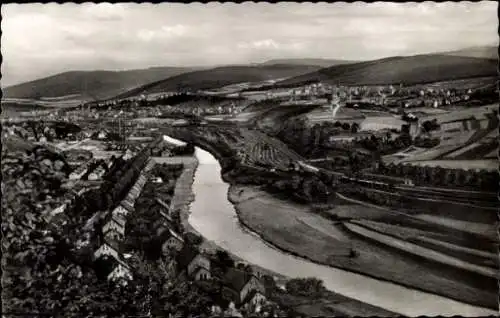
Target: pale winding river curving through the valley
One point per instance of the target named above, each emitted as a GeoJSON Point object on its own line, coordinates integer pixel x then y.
{"type": "Point", "coordinates": [213, 216]}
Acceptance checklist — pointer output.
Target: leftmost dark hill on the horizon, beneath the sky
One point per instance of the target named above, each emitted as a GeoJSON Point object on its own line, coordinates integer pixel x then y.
{"type": "Point", "coordinates": [89, 84]}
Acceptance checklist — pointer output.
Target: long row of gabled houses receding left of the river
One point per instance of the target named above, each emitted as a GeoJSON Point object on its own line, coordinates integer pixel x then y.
{"type": "Point", "coordinates": [114, 230]}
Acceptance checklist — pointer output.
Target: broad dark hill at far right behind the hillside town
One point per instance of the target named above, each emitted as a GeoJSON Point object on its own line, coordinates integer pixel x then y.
{"type": "Point", "coordinates": [415, 69]}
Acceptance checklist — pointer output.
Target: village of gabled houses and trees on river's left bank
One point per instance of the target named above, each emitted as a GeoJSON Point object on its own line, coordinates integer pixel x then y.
{"type": "Point", "coordinates": [130, 209]}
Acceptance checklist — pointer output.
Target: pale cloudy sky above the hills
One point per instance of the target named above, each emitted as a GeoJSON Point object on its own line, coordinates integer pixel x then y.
{"type": "Point", "coordinates": [40, 40]}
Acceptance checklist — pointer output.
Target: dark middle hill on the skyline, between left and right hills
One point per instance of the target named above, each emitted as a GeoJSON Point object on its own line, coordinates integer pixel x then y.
{"type": "Point", "coordinates": [220, 77]}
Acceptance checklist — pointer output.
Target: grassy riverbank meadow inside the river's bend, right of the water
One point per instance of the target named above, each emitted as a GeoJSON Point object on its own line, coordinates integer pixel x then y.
{"type": "Point", "coordinates": [303, 234]}
